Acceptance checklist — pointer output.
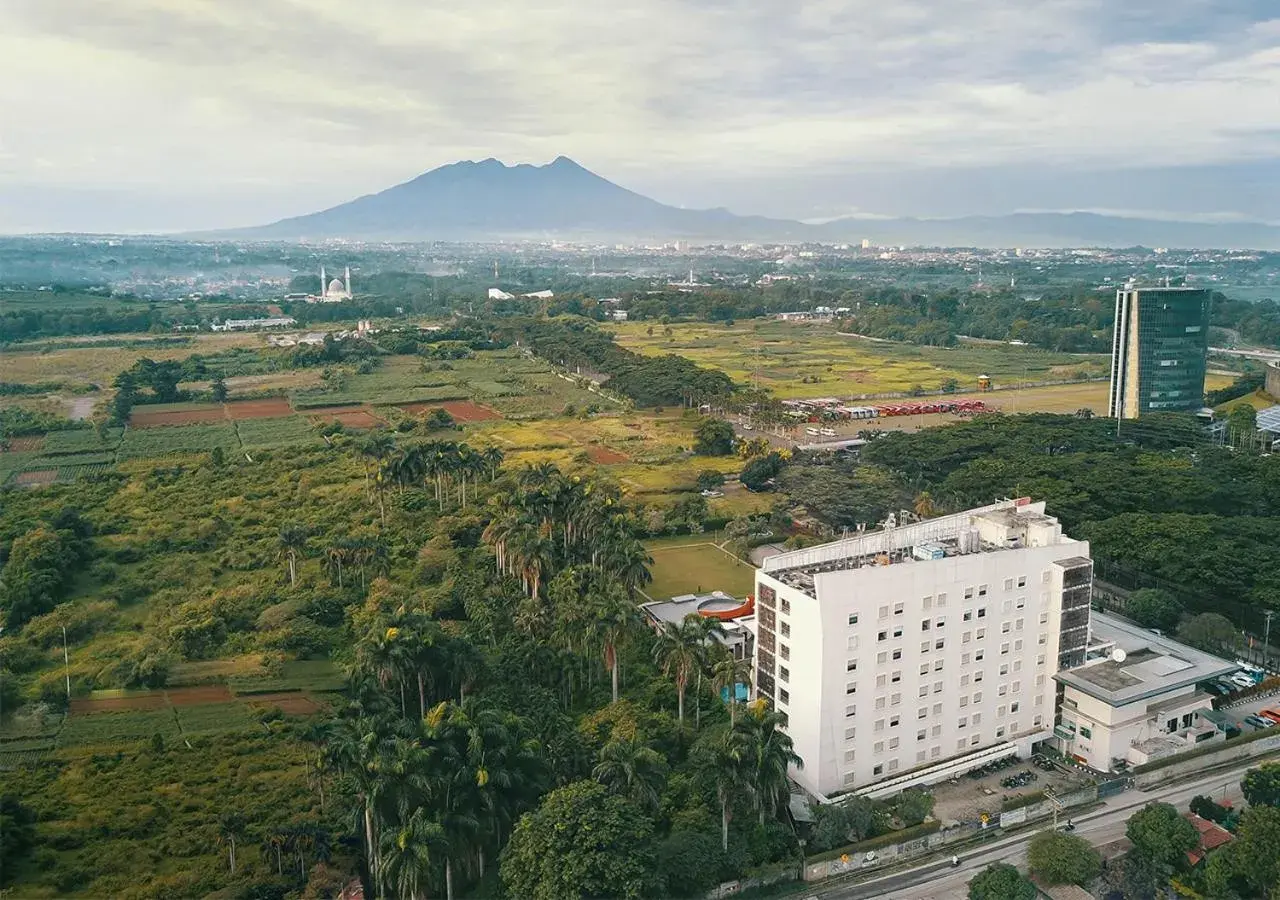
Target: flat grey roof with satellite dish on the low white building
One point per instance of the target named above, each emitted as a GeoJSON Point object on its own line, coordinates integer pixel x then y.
{"type": "Point", "coordinates": [1151, 665]}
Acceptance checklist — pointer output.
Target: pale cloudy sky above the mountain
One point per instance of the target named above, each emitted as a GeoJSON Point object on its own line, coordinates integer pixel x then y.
{"type": "Point", "coordinates": [182, 115]}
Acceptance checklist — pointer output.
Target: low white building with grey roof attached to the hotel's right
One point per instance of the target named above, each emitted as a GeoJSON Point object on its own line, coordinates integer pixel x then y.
{"type": "Point", "coordinates": [1136, 697]}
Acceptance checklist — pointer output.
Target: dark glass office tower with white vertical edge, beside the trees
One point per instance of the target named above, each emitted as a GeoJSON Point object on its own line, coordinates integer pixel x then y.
{"type": "Point", "coordinates": [1159, 351]}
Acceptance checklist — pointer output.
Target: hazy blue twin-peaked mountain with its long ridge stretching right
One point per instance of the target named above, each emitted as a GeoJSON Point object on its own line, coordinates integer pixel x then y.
{"type": "Point", "coordinates": [488, 200]}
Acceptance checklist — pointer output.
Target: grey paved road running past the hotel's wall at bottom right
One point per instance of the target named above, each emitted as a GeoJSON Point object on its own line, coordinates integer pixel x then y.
{"type": "Point", "coordinates": [939, 881]}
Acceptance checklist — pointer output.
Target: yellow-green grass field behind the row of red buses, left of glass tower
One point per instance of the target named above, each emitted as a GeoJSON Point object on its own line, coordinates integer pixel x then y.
{"type": "Point", "coordinates": [812, 360]}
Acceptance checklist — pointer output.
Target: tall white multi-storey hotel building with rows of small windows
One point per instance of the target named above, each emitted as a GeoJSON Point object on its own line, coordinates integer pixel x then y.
{"type": "Point", "coordinates": [915, 654]}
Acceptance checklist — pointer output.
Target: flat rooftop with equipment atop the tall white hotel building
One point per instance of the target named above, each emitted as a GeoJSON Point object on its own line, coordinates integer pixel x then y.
{"type": "Point", "coordinates": [1000, 527]}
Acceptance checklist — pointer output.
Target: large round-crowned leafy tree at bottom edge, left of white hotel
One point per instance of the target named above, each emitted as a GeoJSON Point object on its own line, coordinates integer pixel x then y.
{"type": "Point", "coordinates": [584, 843]}
